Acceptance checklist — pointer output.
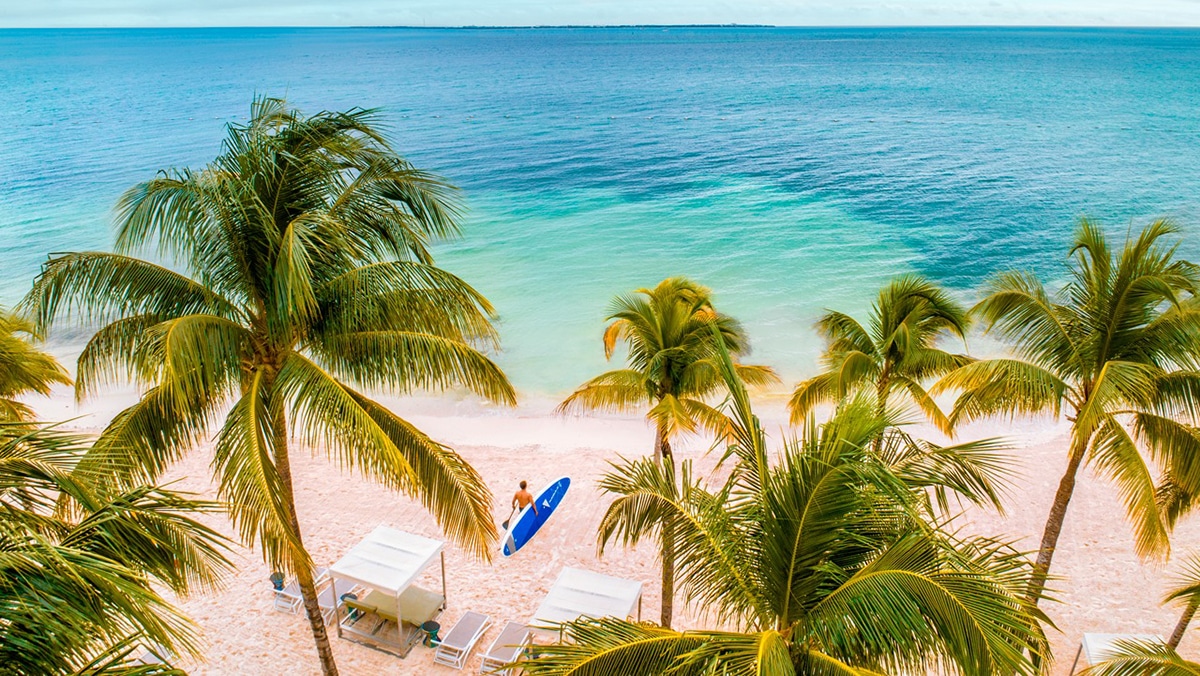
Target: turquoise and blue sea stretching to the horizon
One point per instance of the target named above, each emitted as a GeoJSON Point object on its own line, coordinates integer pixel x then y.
{"type": "Point", "coordinates": [789, 170]}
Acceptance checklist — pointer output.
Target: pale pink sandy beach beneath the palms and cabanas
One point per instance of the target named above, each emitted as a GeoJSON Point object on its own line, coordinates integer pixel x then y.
{"type": "Point", "coordinates": [1102, 587]}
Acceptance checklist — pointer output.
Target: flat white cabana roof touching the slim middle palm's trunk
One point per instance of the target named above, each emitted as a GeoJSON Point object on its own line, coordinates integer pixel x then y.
{"type": "Point", "coordinates": [584, 594]}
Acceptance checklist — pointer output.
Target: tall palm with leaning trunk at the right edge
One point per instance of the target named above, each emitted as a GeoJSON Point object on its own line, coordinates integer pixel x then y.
{"type": "Point", "coordinates": [1117, 348]}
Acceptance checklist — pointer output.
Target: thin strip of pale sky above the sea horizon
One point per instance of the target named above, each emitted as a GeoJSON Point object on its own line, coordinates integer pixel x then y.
{"type": "Point", "coordinates": [33, 14]}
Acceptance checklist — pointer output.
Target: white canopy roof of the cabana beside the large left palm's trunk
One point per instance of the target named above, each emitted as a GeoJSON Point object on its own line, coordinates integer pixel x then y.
{"type": "Point", "coordinates": [387, 560]}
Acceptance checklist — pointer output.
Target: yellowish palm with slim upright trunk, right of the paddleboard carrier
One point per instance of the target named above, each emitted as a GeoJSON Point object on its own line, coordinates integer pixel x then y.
{"type": "Point", "coordinates": [669, 332]}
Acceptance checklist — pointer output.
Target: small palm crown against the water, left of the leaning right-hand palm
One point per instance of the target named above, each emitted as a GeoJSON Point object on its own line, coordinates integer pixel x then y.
{"type": "Point", "coordinates": [897, 352]}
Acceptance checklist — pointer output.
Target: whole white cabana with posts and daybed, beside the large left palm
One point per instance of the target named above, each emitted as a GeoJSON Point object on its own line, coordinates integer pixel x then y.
{"type": "Point", "coordinates": [381, 571]}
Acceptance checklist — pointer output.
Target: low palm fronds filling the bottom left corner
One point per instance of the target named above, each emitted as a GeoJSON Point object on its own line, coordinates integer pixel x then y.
{"type": "Point", "coordinates": [80, 565]}
